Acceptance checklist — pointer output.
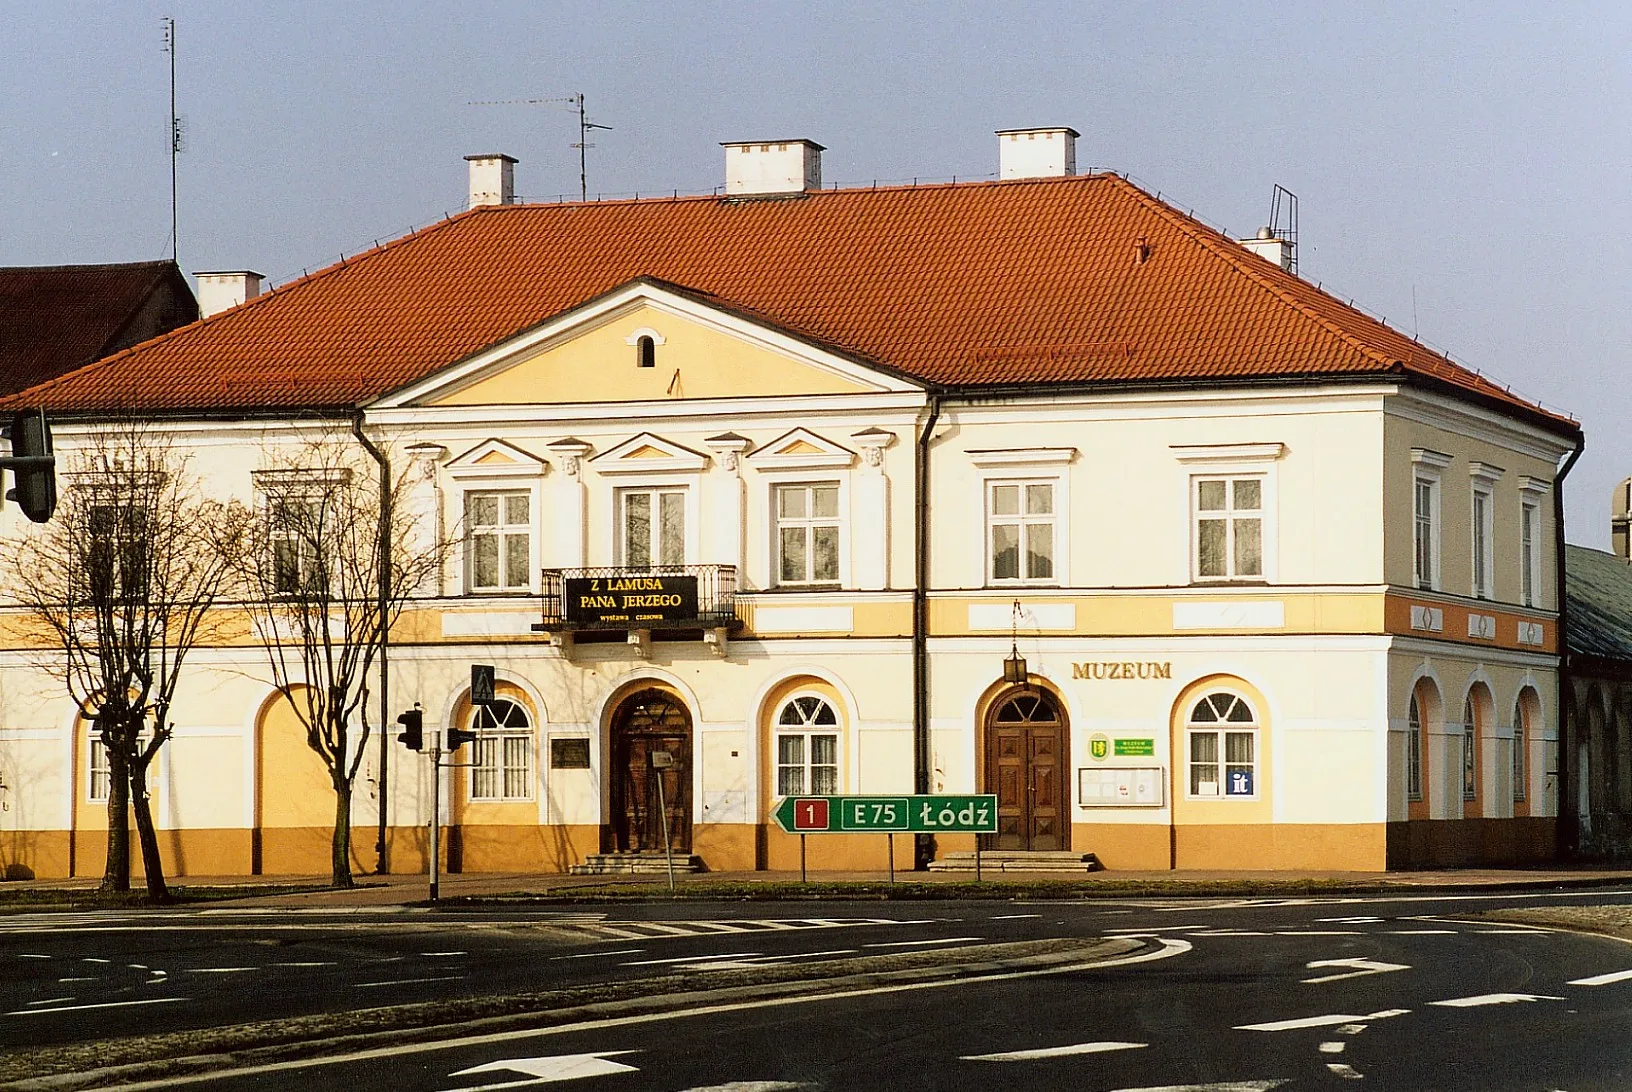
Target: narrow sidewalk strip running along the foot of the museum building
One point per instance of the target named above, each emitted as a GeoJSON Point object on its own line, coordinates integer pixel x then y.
{"type": "Point", "coordinates": [401, 890]}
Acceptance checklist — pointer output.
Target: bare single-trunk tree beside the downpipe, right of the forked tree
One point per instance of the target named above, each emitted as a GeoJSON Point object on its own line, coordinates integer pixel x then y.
{"type": "Point", "coordinates": [335, 554]}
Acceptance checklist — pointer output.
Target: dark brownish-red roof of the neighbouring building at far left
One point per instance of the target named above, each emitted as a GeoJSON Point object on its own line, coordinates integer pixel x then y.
{"type": "Point", "coordinates": [55, 319]}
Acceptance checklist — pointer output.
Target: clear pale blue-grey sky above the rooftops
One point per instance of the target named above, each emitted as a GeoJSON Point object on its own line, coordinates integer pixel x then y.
{"type": "Point", "coordinates": [1463, 167]}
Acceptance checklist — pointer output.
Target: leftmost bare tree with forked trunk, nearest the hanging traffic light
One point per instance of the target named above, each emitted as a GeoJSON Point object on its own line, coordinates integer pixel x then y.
{"type": "Point", "coordinates": [125, 579]}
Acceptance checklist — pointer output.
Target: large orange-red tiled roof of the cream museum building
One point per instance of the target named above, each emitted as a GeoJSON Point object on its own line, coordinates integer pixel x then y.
{"type": "Point", "coordinates": [1049, 282]}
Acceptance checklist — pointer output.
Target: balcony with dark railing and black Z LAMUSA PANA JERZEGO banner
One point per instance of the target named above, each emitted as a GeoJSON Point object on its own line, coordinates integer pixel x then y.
{"type": "Point", "coordinates": [641, 600]}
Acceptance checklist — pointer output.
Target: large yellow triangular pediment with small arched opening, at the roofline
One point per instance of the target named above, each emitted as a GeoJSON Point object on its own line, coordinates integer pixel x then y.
{"type": "Point", "coordinates": [647, 344]}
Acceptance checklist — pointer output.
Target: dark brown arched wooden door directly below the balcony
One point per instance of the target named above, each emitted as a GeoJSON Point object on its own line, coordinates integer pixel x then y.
{"type": "Point", "coordinates": [645, 724]}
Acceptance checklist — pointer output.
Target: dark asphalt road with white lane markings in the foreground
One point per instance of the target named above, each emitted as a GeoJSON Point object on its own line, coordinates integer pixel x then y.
{"type": "Point", "coordinates": [1246, 995]}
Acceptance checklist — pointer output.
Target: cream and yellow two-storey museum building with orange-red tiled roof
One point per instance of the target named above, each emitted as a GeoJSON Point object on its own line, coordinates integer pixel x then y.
{"type": "Point", "coordinates": [774, 486]}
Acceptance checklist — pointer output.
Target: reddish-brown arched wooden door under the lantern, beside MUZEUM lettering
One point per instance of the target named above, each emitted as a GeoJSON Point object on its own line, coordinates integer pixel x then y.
{"type": "Point", "coordinates": [1027, 768]}
